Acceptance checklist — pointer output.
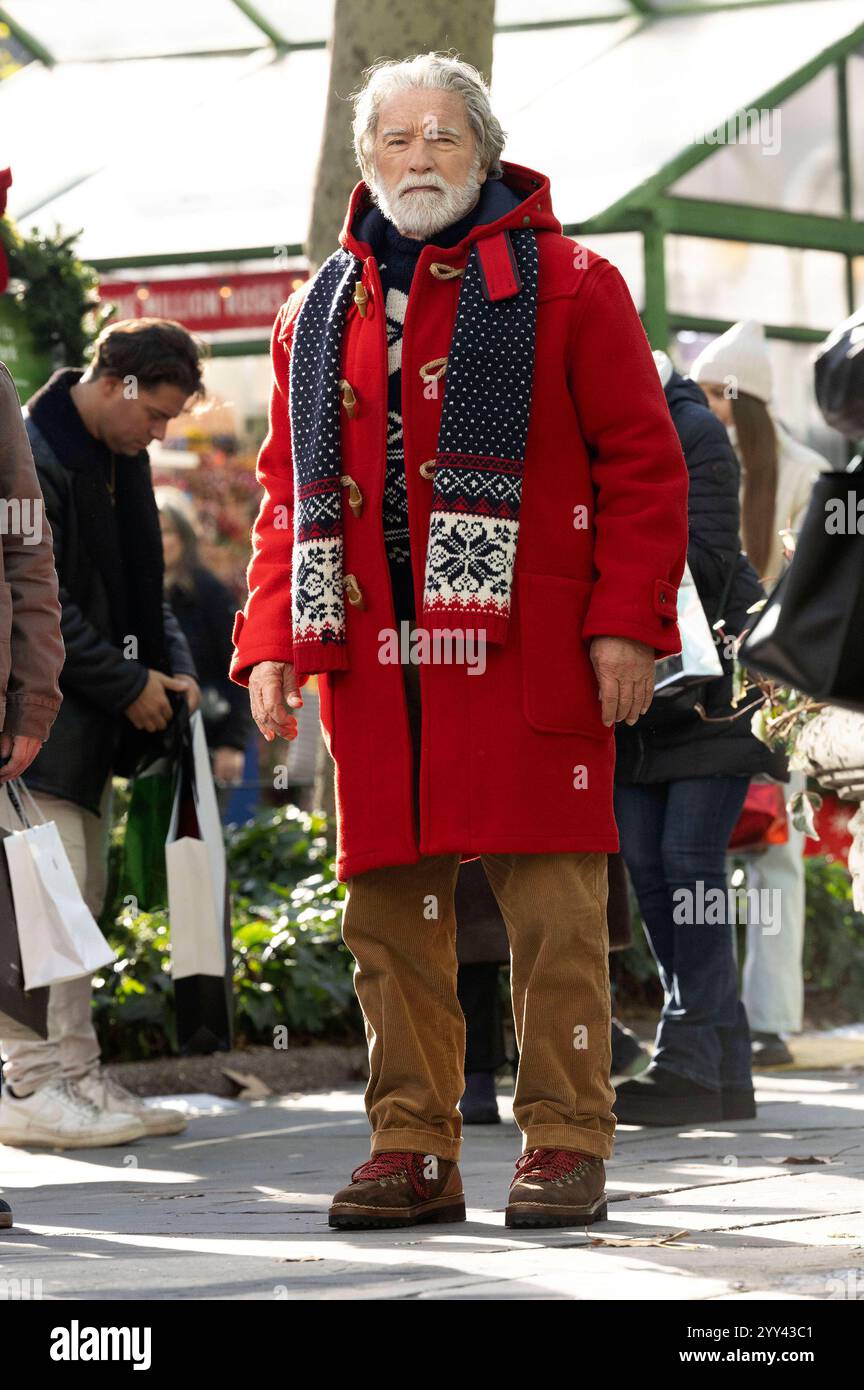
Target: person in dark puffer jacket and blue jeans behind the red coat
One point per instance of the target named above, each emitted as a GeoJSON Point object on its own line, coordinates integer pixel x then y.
{"type": "Point", "coordinates": [681, 779]}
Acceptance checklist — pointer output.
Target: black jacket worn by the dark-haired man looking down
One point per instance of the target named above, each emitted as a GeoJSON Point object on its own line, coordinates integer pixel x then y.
{"type": "Point", "coordinates": [115, 622]}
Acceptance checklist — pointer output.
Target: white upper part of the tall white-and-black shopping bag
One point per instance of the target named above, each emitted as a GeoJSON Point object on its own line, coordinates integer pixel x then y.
{"type": "Point", "coordinates": [197, 872]}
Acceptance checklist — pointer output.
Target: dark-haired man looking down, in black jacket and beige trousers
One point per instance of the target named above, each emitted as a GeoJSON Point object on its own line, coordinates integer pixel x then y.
{"type": "Point", "coordinates": [124, 655]}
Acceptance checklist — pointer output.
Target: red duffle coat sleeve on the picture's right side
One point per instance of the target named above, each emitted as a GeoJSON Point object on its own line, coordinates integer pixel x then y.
{"type": "Point", "coordinates": [638, 469]}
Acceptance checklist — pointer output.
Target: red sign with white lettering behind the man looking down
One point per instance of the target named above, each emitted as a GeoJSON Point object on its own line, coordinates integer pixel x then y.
{"type": "Point", "coordinates": [208, 304]}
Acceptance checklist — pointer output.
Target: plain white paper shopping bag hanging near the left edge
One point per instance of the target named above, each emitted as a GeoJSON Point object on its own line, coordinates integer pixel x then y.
{"type": "Point", "coordinates": [59, 936]}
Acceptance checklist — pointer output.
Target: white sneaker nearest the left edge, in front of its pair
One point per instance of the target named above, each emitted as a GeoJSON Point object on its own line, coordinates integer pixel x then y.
{"type": "Point", "coordinates": [59, 1117]}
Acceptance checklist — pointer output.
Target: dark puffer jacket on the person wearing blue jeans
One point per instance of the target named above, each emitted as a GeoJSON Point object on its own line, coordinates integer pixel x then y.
{"type": "Point", "coordinates": [669, 746]}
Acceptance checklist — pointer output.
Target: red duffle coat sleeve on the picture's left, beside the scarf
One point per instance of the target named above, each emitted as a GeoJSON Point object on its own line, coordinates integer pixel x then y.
{"type": "Point", "coordinates": [263, 629]}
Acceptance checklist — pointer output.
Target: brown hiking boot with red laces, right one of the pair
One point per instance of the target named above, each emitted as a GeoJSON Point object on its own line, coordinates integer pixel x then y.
{"type": "Point", "coordinates": [558, 1188]}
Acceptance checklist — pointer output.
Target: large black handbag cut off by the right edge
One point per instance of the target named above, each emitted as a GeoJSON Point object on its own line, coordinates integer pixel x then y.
{"type": "Point", "coordinates": [811, 635]}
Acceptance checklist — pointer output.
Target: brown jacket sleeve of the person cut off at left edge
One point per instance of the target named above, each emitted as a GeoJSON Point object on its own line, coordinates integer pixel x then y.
{"type": "Point", "coordinates": [33, 694]}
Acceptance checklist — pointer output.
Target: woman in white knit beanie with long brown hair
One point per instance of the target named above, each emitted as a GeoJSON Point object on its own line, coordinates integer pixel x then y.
{"type": "Point", "coordinates": [779, 475]}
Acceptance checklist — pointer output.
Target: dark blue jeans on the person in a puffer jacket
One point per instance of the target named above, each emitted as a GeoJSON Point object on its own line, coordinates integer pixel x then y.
{"type": "Point", "coordinates": [674, 840]}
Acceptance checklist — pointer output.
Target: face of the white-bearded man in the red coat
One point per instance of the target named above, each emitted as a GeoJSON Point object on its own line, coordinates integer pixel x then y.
{"type": "Point", "coordinates": [426, 162]}
